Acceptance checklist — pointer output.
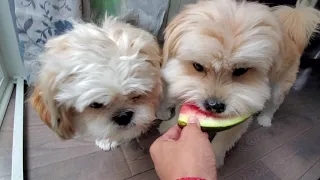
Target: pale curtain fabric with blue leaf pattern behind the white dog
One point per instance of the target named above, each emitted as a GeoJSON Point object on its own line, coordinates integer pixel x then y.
{"type": "Point", "coordinates": [39, 20]}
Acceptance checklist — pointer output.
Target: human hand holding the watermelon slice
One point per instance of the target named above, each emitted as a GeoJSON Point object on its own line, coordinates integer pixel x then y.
{"type": "Point", "coordinates": [184, 153]}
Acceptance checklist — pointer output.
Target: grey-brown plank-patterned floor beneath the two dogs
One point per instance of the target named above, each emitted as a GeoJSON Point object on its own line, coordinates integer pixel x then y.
{"type": "Point", "coordinates": [289, 150]}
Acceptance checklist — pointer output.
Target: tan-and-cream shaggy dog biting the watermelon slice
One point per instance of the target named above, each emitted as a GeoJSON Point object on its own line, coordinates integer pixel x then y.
{"type": "Point", "coordinates": [233, 58]}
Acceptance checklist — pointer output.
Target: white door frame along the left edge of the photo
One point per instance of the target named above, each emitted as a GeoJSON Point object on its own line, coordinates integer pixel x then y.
{"type": "Point", "coordinates": [13, 65]}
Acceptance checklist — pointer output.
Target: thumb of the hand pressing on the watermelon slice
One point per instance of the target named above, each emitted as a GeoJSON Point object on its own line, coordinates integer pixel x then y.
{"type": "Point", "coordinates": [192, 129]}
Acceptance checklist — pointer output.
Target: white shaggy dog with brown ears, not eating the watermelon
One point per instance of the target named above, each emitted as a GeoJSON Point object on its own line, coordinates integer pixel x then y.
{"type": "Point", "coordinates": [100, 81]}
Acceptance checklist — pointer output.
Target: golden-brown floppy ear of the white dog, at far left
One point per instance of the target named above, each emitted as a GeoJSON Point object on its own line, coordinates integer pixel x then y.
{"type": "Point", "coordinates": [58, 119]}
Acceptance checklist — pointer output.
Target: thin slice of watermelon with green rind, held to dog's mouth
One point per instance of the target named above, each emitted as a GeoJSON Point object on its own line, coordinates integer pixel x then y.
{"type": "Point", "coordinates": [209, 122]}
